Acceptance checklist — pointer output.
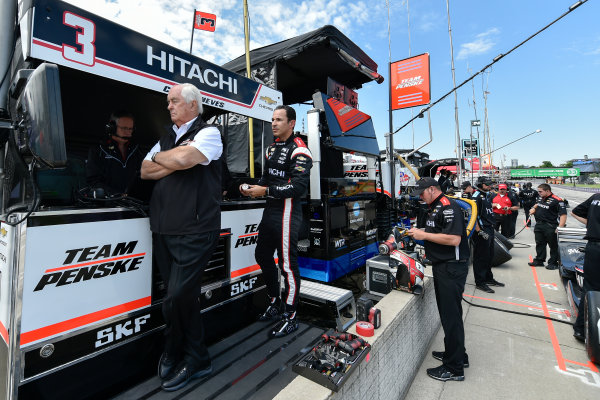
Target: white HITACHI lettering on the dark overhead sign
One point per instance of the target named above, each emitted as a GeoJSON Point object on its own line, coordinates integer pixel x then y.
{"type": "Point", "coordinates": [189, 70]}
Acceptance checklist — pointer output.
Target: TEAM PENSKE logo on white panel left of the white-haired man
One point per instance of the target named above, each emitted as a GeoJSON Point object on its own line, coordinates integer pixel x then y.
{"type": "Point", "coordinates": [95, 262]}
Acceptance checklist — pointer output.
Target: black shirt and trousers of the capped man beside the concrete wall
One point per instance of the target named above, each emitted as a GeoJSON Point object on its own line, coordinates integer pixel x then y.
{"type": "Point", "coordinates": [450, 268]}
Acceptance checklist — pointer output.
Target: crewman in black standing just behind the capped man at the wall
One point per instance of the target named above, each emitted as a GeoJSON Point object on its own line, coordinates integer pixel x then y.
{"type": "Point", "coordinates": [483, 239]}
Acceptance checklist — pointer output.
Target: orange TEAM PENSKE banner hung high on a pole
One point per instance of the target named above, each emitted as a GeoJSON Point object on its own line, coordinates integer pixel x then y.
{"type": "Point", "coordinates": [410, 85]}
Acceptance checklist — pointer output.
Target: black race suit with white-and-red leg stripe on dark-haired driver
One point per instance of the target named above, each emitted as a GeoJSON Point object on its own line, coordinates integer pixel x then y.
{"type": "Point", "coordinates": [286, 175]}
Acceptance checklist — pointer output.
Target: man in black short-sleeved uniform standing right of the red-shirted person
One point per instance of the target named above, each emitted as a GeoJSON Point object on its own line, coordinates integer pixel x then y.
{"type": "Point", "coordinates": [547, 211]}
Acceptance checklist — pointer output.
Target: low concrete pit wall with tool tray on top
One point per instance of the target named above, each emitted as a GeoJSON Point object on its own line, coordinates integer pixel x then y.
{"type": "Point", "coordinates": [408, 324]}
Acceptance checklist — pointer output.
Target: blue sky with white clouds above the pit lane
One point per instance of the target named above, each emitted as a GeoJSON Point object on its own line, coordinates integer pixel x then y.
{"type": "Point", "coordinates": [550, 83]}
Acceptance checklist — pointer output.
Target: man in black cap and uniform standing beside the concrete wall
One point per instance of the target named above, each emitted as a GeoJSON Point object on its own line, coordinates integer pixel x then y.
{"type": "Point", "coordinates": [446, 246]}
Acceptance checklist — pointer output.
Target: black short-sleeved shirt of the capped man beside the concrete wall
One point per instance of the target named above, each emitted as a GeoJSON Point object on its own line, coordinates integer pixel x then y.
{"type": "Point", "coordinates": [446, 216]}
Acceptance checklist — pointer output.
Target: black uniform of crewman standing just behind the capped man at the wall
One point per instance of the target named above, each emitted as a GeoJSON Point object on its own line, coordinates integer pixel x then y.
{"type": "Point", "coordinates": [483, 250]}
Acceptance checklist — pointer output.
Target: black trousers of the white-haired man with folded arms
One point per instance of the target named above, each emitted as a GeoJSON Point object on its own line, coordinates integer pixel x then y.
{"type": "Point", "coordinates": [181, 259]}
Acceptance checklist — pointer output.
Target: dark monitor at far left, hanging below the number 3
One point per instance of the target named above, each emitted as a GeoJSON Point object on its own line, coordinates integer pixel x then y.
{"type": "Point", "coordinates": [39, 107]}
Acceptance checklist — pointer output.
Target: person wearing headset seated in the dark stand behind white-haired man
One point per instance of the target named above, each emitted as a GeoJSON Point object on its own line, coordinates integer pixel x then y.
{"type": "Point", "coordinates": [115, 164]}
